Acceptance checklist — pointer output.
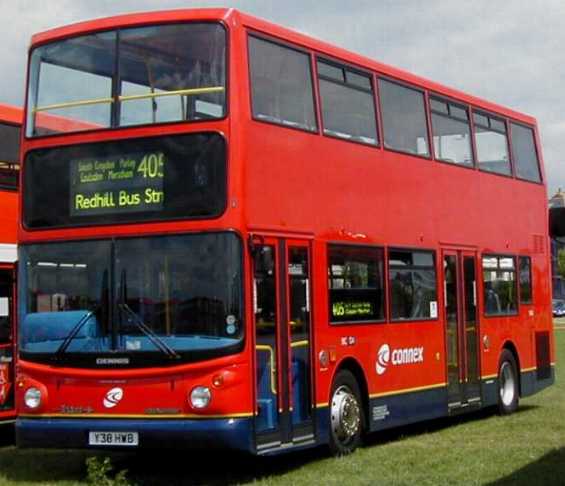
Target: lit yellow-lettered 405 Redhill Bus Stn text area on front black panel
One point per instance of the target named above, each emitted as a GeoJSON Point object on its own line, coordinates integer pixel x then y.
{"type": "Point", "coordinates": [122, 184]}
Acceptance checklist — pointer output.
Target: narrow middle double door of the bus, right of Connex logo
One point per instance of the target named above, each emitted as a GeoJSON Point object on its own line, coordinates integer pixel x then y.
{"type": "Point", "coordinates": [462, 331]}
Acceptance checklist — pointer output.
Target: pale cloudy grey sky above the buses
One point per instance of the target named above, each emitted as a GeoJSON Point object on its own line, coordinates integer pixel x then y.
{"type": "Point", "coordinates": [510, 52]}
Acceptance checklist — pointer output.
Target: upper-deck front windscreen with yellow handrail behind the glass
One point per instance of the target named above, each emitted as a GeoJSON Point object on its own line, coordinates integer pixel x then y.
{"type": "Point", "coordinates": [126, 77]}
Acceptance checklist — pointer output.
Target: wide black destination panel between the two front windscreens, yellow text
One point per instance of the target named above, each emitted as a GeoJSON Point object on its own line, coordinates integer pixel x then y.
{"type": "Point", "coordinates": [164, 178]}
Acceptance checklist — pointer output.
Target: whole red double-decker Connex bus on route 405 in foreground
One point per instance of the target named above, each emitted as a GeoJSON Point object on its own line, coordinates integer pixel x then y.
{"type": "Point", "coordinates": [247, 238]}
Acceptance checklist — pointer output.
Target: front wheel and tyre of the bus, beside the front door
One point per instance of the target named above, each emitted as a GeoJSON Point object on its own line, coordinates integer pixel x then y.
{"type": "Point", "coordinates": [347, 420]}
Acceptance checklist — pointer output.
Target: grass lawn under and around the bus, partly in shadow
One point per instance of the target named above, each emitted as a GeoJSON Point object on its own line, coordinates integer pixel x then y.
{"type": "Point", "coordinates": [527, 448]}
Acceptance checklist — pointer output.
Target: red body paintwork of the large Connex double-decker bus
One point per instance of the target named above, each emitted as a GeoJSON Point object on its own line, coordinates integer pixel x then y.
{"type": "Point", "coordinates": [288, 183]}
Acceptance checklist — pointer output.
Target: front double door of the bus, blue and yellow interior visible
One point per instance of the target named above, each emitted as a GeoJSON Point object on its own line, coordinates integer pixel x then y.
{"type": "Point", "coordinates": [282, 309]}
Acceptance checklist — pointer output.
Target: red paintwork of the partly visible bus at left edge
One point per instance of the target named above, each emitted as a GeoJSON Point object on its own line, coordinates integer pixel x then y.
{"type": "Point", "coordinates": [9, 213]}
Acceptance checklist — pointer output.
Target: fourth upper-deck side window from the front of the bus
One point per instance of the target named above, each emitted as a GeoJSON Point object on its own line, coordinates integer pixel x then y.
{"type": "Point", "coordinates": [451, 132]}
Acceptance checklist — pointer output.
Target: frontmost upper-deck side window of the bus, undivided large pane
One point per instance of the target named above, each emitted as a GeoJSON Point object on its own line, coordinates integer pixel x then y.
{"type": "Point", "coordinates": [281, 85]}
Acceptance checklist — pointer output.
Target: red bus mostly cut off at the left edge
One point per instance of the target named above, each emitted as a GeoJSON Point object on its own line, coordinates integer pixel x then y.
{"type": "Point", "coordinates": [10, 126]}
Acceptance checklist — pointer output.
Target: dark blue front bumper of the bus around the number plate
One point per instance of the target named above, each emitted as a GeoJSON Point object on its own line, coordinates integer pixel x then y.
{"type": "Point", "coordinates": [225, 433]}
